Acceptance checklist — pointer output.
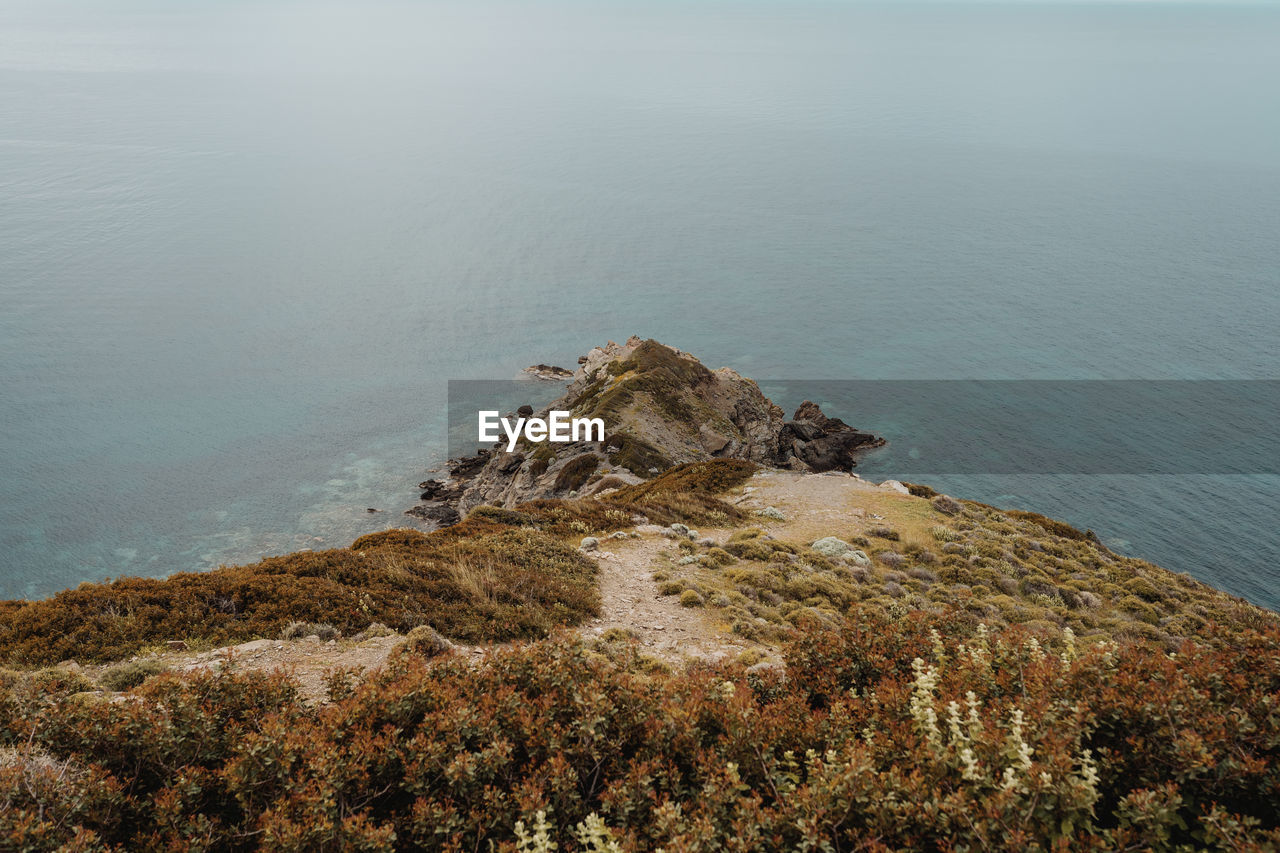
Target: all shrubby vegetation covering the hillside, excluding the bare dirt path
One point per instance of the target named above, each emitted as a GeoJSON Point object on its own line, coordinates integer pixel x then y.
{"type": "Point", "coordinates": [954, 678]}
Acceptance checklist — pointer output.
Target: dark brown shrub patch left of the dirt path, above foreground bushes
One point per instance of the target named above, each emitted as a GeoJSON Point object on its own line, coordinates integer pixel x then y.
{"type": "Point", "coordinates": [490, 583]}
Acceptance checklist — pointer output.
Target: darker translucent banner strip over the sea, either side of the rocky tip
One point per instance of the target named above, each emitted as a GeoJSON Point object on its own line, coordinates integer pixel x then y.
{"type": "Point", "coordinates": [1000, 427]}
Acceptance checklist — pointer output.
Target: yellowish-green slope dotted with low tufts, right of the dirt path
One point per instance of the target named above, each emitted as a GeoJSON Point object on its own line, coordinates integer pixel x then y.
{"type": "Point", "coordinates": [984, 564]}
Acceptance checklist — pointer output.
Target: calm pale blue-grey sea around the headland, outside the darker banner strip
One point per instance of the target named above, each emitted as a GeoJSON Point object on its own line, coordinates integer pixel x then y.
{"type": "Point", "coordinates": [244, 245]}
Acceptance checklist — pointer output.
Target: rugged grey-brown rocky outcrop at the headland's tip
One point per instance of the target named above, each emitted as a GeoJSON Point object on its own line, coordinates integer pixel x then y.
{"type": "Point", "coordinates": [661, 408]}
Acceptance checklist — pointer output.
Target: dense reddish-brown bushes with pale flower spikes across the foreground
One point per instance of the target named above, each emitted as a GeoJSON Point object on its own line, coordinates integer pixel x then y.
{"type": "Point", "coordinates": [886, 733]}
